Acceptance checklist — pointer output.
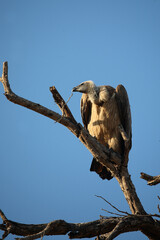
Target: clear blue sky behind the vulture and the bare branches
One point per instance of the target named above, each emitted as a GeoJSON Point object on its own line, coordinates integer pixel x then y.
{"type": "Point", "coordinates": [44, 168]}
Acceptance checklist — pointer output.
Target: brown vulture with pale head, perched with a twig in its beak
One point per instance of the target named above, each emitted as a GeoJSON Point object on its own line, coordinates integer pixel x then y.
{"type": "Point", "coordinates": [103, 110]}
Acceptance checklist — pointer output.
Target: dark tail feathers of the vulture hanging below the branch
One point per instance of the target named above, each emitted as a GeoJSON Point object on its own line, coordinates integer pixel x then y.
{"type": "Point", "coordinates": [100, 170]}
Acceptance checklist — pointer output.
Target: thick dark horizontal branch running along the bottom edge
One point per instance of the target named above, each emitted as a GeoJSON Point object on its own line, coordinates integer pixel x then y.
{"type": "Point", "coordinates": [111, 226]}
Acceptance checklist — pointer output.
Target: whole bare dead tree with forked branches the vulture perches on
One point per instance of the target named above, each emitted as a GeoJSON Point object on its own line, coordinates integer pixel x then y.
{"type": "Point", "coordinates": [103, 228]}
